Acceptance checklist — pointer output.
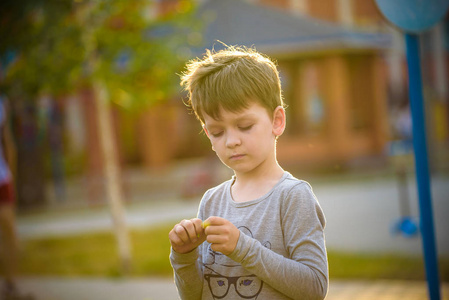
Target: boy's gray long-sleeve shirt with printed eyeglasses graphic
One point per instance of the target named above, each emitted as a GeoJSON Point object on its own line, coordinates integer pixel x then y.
{"type": "Point", "coordinates": [280, 253]}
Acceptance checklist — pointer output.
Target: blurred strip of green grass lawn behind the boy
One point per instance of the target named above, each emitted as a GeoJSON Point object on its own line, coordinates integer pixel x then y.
{"type": "Point", "coordinates": [95, 255]}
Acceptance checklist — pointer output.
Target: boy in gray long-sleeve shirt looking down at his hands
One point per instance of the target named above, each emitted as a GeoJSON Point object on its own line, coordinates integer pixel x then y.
{"type": "Point", "coordinates": [262, 235]}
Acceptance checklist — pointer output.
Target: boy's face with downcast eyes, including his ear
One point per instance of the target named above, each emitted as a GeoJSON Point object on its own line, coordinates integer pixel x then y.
{"type": "Point", "coordinates": [245, 141]}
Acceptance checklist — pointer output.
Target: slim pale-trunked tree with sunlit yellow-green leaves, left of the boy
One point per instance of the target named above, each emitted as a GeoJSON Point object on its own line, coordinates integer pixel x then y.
{"type": "Point", "coordinates": [130, 58]}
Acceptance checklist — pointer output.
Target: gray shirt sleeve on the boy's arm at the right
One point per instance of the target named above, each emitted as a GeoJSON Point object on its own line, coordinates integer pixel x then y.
{"type": "Point", "coordinates": [304, 274]}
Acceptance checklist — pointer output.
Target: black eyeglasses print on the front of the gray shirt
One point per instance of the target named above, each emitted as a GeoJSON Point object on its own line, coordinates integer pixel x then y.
{"type": "Point", "coordinates": [246, 287]}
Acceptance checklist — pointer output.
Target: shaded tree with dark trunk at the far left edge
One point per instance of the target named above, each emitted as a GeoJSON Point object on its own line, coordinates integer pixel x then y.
{"type": "Point", "coordinates": [38, 46]}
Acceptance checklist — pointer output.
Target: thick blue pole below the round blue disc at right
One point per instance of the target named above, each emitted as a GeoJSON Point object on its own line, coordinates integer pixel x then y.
{"type": "Point", "coordinates": [421, 165]}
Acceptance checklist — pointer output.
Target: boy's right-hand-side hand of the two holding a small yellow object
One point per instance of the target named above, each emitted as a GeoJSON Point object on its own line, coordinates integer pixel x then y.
{"type": "Point", "coordinates": [222, 234]}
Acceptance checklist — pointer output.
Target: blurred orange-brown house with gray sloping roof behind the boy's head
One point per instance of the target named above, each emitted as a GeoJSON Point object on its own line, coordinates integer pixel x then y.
{"type": "Point", "coordinates": [333, 78]}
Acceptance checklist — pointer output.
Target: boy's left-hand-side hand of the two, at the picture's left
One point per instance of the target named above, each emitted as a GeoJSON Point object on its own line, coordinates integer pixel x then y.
{"type": "Point", "coordinates": [187, 235]}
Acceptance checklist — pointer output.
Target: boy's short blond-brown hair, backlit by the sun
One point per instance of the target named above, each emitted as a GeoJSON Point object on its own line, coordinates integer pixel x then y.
{"type": "Point", "coordinates": [231, 79]}
